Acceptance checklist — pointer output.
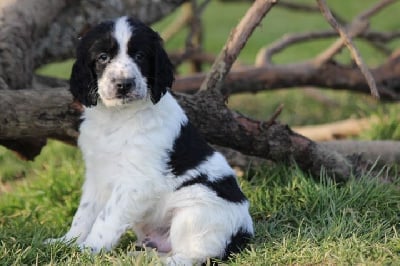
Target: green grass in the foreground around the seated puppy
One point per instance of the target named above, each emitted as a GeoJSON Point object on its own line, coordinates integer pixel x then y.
{"type": "Point", "coordinates": [297, 219]}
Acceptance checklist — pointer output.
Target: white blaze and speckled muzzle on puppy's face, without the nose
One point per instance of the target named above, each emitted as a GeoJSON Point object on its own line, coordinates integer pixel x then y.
{"type": "Point", "coordinates": [122, 66]}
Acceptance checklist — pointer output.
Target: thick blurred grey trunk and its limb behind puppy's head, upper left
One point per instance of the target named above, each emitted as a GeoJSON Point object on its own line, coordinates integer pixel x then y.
{"type": "Point", "coordinates": [33, 33]}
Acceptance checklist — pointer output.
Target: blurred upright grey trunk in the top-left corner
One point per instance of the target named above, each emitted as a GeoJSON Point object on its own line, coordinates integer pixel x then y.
{"type": "Point", "coordinates": [21, 24]}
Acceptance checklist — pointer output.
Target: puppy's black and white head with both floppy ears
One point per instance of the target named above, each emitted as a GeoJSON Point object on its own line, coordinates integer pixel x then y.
{"type": "Point", "coordinates": [119, 62]}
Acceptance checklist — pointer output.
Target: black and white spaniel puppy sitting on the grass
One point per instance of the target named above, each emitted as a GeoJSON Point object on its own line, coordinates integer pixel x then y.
{"type": "Point", "coordinates": [147, 168]}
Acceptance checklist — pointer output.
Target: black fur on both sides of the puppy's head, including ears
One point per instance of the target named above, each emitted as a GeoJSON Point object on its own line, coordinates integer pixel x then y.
{"type": "Point", "coordinates": [154, 63]}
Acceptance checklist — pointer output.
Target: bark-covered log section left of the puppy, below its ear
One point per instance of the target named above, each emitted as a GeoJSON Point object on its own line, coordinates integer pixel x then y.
{"type": "Point", "coordinates": [38, 114]}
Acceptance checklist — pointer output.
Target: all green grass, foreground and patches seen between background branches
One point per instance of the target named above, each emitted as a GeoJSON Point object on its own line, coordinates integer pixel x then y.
{"type": "Point", "coordinates": [299, 219]}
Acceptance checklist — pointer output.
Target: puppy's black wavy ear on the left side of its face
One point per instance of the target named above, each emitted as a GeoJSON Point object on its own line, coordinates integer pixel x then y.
{"type": "Point", "coordinates": [83, 83]}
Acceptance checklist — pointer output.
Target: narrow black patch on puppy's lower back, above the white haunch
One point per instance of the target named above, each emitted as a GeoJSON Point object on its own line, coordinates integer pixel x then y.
{"type": "Point", "coordinates": [225, 187]}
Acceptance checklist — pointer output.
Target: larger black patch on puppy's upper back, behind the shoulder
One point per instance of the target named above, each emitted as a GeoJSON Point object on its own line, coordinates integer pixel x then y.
{"type": "Point", "coordinates": [189, 150]}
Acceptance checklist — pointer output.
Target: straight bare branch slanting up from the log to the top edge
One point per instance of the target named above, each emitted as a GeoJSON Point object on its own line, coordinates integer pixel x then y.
{"type": "Point", "coordinates": [235, 43]}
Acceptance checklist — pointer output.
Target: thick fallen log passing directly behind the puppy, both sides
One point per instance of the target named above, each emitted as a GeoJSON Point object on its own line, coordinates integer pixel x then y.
{"type": "Point", "coordinates": [50, 112]}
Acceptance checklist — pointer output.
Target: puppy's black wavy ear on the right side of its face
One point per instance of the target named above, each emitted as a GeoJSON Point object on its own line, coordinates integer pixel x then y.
{"type": "Point", "coordinates": [163, 75]}
